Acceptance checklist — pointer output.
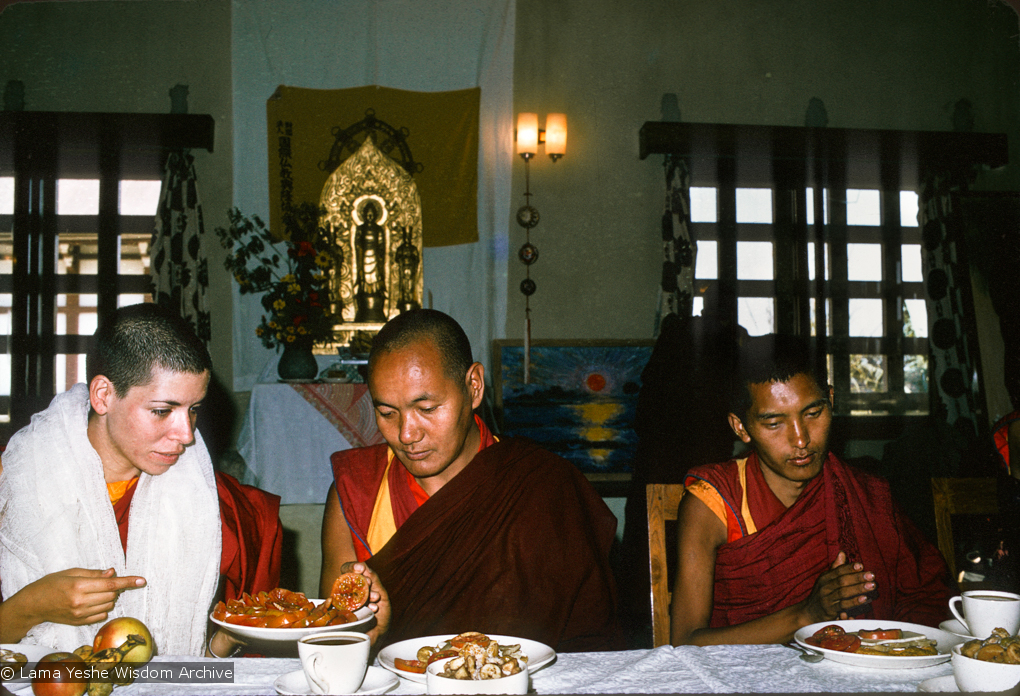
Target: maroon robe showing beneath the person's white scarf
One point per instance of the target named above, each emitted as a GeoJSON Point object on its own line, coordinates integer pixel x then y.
{"type": "Point", "coordinates": [252, 536]}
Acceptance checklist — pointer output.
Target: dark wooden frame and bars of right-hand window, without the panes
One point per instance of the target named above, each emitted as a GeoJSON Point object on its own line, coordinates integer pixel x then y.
{"type": "Point", "coordinates": [791, 161]}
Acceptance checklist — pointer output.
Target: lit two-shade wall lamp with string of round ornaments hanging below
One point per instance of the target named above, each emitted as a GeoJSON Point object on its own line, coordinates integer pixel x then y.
{"type": "Point", "coordinates": [530, 136]}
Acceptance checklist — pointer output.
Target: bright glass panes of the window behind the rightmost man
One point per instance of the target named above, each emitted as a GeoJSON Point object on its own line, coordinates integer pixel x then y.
{"type": "Point", "coordinates": [886, 377]}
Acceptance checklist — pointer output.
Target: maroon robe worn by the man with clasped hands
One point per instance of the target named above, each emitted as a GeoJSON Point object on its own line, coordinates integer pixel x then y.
{"type": "Point", "coordinates": [842, 510]}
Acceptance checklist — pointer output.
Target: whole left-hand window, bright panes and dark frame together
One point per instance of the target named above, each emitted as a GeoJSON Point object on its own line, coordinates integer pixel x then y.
{"type": "Point", "coordinates": [78, 198]}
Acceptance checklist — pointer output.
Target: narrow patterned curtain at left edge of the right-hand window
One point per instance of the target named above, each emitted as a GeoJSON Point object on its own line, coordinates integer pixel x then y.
{"type": "Point", "coordinates": [680, 252]}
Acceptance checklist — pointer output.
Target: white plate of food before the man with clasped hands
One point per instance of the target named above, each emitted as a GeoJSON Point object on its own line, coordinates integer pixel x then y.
{"type": "Point", "coordinates": [880, 644]}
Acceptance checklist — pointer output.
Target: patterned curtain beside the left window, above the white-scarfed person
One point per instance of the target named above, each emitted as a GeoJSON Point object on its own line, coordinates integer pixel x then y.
{"type": "Point", "coordinates": [179, 267]}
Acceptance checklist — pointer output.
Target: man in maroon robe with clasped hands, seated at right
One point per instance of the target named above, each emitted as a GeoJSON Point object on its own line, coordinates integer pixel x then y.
{"type": "Point", "coordinates": [792, 536]}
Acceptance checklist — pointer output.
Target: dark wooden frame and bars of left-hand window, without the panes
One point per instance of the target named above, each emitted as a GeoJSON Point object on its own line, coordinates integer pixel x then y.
{"type": "Point", "coordinates": [37, 148]}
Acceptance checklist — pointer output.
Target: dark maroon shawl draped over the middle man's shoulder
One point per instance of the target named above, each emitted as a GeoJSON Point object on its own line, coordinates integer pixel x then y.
{"type": "Point", "coordinates": [517, 544]}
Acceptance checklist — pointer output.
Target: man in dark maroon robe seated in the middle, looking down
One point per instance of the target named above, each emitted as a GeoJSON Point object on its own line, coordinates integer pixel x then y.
{"type": "Point", "coordinates": [460, 530]}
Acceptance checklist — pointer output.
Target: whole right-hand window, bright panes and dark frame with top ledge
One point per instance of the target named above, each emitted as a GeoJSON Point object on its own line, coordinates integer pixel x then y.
{"type": "Point", "coordinates": [834, 213]}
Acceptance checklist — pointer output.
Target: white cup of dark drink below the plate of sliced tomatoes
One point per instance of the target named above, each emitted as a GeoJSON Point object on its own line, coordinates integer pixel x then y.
{"type": "Point", "coordinates": [335, 663]}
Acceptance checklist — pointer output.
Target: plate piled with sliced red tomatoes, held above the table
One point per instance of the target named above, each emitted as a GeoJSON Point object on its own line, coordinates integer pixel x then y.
{"type": "Point", "coordinates": [283, 616]}
